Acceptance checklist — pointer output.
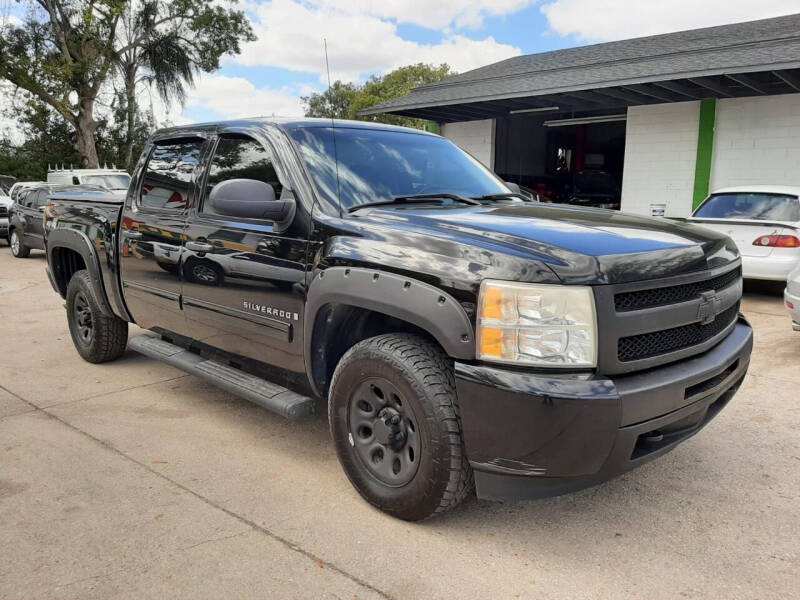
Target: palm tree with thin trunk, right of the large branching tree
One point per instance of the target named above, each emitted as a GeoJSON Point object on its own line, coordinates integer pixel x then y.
{"type": "Point", "coordinates": [165, 43]}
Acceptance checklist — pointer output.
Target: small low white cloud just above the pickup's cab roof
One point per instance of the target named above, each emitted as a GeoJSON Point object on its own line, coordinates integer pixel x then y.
{"type": "Point", "coordinates": [234, 97]}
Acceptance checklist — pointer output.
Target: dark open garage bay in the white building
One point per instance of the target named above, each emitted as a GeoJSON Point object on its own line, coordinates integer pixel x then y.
{"type": "Point", "coordinates": [573, 161]}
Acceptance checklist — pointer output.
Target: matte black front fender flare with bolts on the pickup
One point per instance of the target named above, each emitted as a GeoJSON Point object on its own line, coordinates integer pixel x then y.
{"type": "Point", "coordinates": [404, 298]}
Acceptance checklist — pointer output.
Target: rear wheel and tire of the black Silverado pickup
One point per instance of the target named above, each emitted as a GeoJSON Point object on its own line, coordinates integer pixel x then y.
{"type": "Point", "coordinates": [98, 338]}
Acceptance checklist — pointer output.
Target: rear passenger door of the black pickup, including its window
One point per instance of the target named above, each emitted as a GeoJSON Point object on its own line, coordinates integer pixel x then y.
{"type": "Point", "coordinates": [152, 233]}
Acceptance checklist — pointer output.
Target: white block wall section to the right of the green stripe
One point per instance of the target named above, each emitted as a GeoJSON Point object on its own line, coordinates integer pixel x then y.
{"type": "Point", "coordinates": [757, 140]}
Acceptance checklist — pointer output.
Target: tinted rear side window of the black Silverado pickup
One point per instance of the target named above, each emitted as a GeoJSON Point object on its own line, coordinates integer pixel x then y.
{"type": "Point", "coordinates": [167, 180]}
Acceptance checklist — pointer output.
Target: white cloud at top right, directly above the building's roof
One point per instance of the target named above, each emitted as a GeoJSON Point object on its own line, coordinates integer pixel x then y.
{"type": "Point", "coordinates": [594, 20]}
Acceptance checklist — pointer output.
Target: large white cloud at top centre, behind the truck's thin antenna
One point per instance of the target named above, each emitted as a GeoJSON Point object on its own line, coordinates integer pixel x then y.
{"type": "Point", "coordinates": [290, 35]}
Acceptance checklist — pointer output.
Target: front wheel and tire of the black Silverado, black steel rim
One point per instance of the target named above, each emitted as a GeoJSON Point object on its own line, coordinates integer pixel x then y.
{"type": "Point", "coordinates": [394, 419]}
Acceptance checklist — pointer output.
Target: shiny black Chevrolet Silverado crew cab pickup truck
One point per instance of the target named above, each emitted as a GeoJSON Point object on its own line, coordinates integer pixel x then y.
{"type": "Point", "coordinates": [458, 333]}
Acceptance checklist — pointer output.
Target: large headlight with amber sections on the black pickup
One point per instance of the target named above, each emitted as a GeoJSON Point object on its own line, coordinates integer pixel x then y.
{"type": "Point", "coordinates": [533, 324]}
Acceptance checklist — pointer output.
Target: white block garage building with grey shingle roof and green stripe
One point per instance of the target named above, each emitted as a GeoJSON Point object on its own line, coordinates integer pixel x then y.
{"type": "Point", "coordinates": [696, 109]}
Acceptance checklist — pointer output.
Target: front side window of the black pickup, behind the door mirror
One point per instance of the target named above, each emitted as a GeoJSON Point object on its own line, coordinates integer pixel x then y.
{"type": "Point", "coordinates": [240, 157]}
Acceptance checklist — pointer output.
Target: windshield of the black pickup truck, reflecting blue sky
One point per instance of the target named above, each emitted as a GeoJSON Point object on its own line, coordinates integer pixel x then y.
{"type": "Point", "coordinates": [377, 165]}
